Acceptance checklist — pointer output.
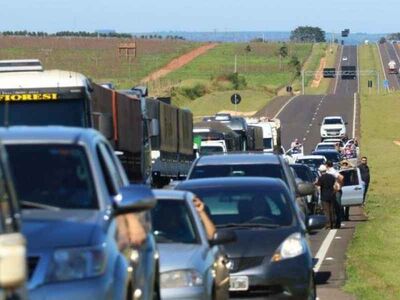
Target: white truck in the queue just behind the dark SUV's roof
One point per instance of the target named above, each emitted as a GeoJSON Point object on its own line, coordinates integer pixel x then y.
{"type": "Point", "coordinates": [271, 132]}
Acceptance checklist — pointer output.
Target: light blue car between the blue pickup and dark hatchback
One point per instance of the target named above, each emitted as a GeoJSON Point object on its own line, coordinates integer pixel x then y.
{"type": "Point", "coordinates": [191, 266]}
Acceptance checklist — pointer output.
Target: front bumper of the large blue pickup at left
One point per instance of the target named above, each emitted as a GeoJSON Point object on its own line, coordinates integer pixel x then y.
{"type": "Point", "coordinates": [94, 288]}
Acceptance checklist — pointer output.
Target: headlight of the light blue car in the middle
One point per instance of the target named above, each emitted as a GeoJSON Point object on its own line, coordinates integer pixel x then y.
{"type": "Point", "coordinates": [181, 278]}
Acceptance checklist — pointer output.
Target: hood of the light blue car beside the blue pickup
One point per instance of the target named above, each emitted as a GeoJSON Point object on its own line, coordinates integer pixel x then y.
{"type": "Point", "coordinates": [176, 256]}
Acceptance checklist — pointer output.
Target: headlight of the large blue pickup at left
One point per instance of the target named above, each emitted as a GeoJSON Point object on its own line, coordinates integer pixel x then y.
{"type": "Point", "coordinates": [76, 263]}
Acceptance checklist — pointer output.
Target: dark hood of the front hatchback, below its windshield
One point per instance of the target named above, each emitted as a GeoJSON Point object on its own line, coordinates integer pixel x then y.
{"type": "Point", "coordinates": [256, 242]}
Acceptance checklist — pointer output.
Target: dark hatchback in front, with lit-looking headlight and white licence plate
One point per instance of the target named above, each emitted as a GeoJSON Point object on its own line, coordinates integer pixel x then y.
{"type": "Point", "coordinates": [271, 256]}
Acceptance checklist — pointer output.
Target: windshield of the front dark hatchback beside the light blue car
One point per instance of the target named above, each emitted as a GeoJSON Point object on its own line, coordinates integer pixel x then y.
{"type": "Point", "coordinates": [250, 205]}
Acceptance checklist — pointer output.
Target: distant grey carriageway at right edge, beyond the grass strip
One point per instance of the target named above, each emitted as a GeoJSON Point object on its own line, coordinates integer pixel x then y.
{"type": "Point", "coordinates": [389, 52]}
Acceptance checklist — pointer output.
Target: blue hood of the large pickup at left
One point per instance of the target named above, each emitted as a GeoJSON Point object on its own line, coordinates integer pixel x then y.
{"type": "Point", "coordinates": [45, 229]}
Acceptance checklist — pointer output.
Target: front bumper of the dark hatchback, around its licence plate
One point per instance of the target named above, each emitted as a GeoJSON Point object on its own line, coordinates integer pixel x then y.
{"type": "Point", "coordinates": [288, 279]}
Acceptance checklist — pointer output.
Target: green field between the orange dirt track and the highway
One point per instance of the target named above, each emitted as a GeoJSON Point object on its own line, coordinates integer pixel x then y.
{"type": "Point", "coordinates": [257, 63]}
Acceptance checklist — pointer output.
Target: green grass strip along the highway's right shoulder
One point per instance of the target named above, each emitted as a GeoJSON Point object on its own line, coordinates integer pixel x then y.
{"type": "Point", "coordinates": [374, 258]}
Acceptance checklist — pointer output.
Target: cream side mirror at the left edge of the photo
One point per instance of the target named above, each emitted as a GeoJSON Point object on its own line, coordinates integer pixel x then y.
{"type": "Point", "coordinates": [12, 260]}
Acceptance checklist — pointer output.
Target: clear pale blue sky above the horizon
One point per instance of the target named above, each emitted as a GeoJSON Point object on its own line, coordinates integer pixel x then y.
{"type": "Point", "coordinates": [372, 16]}
